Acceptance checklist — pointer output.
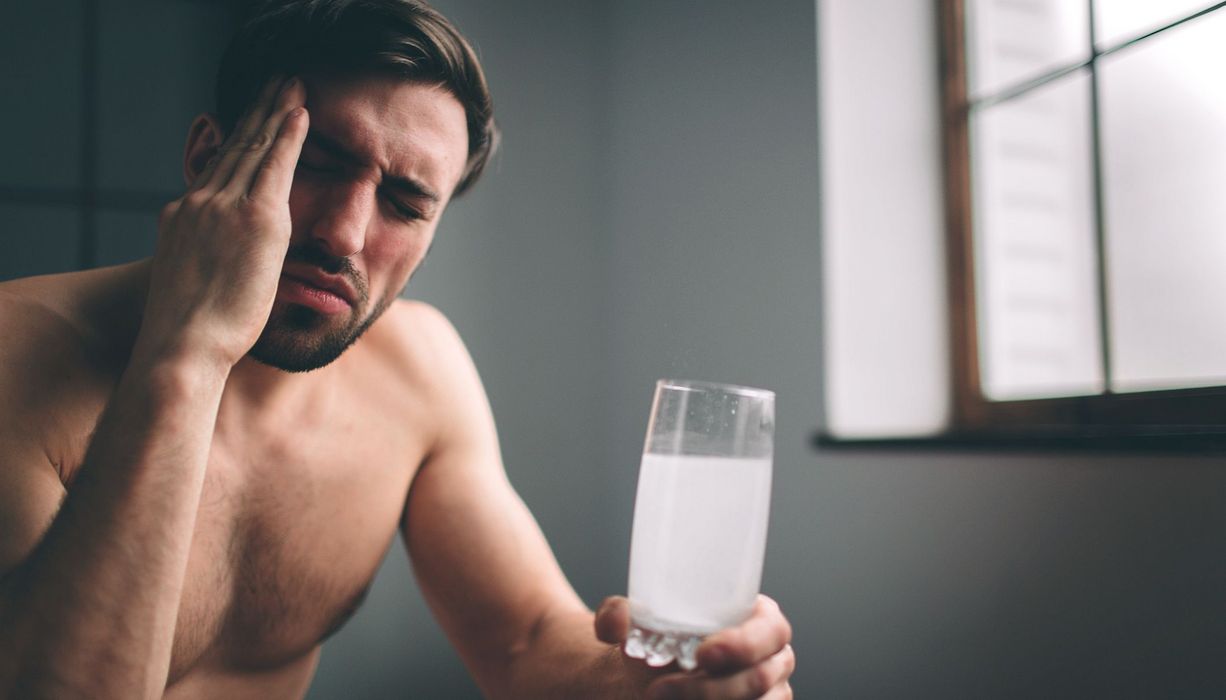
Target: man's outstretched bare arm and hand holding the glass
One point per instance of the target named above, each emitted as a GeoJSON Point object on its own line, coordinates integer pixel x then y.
{"type": "Point", "coordinates": [492, 580]}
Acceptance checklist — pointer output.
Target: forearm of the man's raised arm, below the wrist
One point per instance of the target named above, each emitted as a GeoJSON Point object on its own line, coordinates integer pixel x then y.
{"type": "Point", "coordinates": [93, 611]}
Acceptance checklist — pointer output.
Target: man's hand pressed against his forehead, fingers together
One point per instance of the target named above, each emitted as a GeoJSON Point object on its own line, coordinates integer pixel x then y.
{"type": "Point", "coordinates": [223, 246]}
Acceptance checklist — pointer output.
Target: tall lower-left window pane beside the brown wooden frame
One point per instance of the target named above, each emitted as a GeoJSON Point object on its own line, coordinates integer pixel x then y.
{"type": "Point", "coordinates": [1035, 245]}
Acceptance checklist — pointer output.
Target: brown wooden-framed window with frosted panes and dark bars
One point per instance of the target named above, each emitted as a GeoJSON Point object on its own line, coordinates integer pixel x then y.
{"type": "Point", "coordinates": [1086, 148]}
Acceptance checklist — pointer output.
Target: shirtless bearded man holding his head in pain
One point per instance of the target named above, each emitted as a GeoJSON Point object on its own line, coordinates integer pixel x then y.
{"type": "Point", "coordinates": [205, 455]}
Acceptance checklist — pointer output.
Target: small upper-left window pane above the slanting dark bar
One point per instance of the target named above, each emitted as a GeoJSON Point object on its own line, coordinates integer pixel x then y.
{"type": "Point", "coordinates": [1017, 41]}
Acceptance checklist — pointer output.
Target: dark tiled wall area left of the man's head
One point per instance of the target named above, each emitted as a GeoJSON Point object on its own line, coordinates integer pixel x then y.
{"type": "Point", "coordinates": [97, 100]}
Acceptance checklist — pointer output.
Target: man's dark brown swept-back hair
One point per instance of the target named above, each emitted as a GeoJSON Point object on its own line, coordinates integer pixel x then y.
{"type": "Point", "coordinates": [403, 39]}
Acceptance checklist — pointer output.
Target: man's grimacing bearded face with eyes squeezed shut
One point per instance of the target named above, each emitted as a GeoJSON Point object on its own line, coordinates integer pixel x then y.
{"type": "Point", "coordinates": [378, 169]}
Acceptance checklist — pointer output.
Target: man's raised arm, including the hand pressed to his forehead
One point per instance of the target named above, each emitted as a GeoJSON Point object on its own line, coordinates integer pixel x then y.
{"type": "Point", "coordinates": [90, 599]}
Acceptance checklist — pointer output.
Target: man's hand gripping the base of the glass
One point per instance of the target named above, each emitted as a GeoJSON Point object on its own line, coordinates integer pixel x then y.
{"type": "Point", "coordinates": [752, 660]}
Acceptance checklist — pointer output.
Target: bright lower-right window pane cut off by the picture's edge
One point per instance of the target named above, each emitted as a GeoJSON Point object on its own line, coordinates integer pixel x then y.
{"type": "Point", "coordinates": [1164, 110]}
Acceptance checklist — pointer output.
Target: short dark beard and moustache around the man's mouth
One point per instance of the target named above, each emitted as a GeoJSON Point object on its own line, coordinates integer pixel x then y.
{"type": "Point", "coordinates": [299, 339]}
